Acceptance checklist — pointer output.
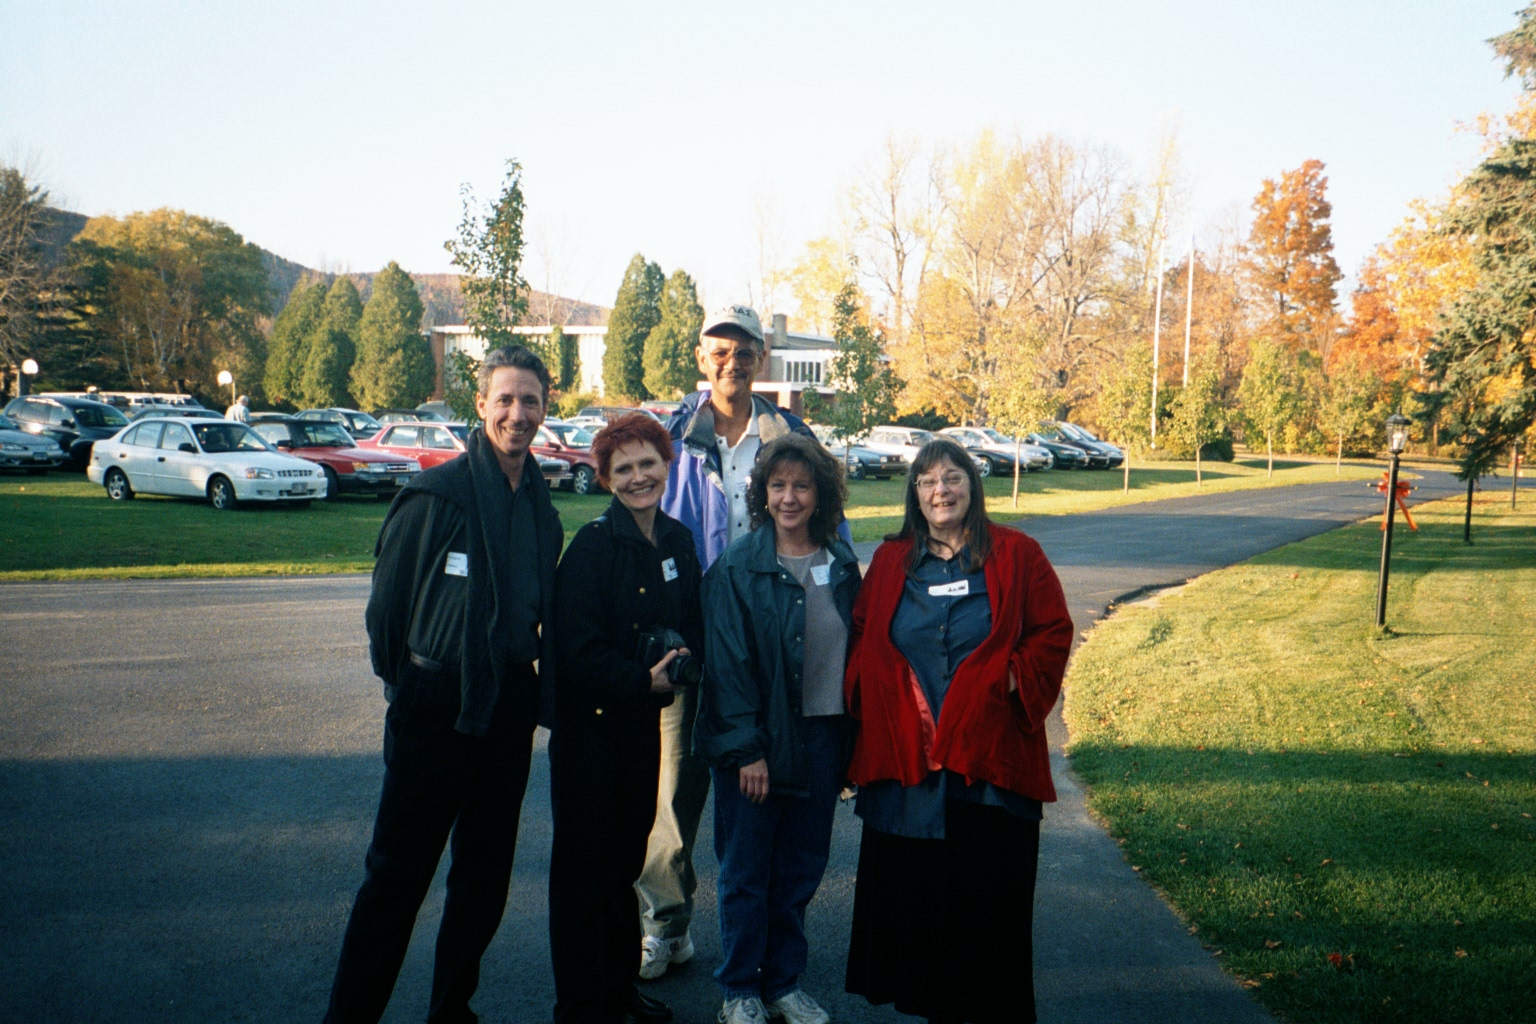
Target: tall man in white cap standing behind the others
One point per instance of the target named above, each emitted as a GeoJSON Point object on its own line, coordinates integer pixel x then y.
{"type": "Point", "coordinates": [718, 434]}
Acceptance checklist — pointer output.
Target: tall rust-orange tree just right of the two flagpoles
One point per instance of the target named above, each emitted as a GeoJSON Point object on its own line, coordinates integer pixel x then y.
{"type": "Point", "coordinates": [1291, 259]}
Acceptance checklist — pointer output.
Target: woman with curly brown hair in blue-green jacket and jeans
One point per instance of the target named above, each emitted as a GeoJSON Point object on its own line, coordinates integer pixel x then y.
{"type": "Point", "coordinates": [776, 607]}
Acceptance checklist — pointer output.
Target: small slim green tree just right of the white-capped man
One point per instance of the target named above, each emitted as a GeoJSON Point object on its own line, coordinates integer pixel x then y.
{"type": "Point", "coordinates": [864, 385]}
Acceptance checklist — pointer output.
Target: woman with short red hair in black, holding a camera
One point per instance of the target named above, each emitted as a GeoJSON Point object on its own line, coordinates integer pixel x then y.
{"type": "Point", "coordinates": [629, 635]}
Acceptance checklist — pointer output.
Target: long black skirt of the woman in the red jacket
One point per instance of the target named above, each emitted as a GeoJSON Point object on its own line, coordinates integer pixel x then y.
{"type": "Point", "coordinates": [942, 928]}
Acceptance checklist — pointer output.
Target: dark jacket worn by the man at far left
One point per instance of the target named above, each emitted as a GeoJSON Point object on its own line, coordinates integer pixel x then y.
{"type": "Point", "coordinates": [437, 616]}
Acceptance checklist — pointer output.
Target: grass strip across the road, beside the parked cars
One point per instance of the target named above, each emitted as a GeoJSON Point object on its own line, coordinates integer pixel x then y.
{"type": "Point", "coordinates": [64, 527]}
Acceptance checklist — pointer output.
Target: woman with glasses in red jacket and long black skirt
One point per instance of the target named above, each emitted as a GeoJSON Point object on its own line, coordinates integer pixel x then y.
{"type": "Point", "coordinates": [959, 641]}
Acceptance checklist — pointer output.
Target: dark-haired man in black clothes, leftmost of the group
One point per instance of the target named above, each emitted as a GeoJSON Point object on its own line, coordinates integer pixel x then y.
{"type": "Point", "coordinates": [465, 576]}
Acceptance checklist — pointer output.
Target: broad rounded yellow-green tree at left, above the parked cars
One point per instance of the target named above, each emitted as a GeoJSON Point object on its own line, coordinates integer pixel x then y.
{"type": "Point", "coordinates": [180, 297]}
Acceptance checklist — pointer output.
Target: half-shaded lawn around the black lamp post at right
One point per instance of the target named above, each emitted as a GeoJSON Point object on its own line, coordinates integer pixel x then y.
{"type": "Point", "coordinates": [1343, 816]}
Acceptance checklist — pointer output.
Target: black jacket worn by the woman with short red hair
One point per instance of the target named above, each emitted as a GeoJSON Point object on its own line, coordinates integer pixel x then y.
{"type": "Point", "coordinates": [612, 587]}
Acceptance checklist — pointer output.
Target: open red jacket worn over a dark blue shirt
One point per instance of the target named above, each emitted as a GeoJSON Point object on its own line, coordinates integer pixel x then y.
{"type": "Point", "coordinates": [984, 732]}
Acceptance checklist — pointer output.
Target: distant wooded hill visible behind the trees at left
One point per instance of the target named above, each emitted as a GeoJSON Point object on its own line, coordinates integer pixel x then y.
{"type": "Point", "coordinates": [440, 292]}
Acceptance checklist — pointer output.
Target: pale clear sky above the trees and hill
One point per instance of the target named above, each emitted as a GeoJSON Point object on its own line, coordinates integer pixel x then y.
{"type": "Point", "coordinates": [339, 134]}
